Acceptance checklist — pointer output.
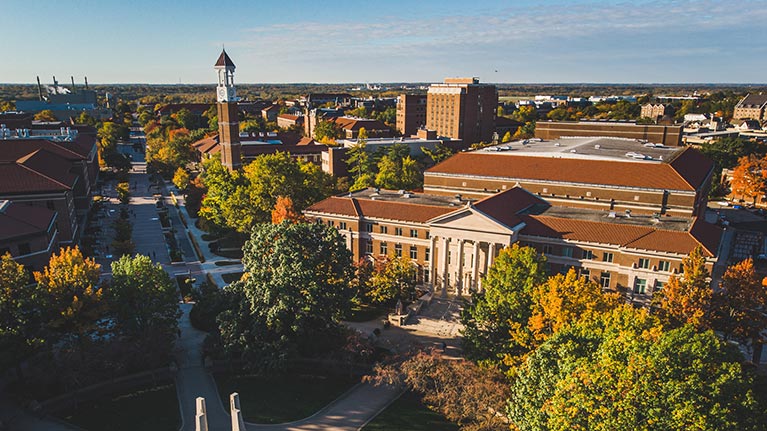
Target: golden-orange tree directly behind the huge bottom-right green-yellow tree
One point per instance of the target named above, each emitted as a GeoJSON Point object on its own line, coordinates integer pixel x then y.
{"type": "Point", "coordinates": [565, 299]}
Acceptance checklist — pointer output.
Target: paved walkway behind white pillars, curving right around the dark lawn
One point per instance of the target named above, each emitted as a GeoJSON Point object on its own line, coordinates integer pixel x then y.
{"type": "Point", "coordinates": [350, 412]}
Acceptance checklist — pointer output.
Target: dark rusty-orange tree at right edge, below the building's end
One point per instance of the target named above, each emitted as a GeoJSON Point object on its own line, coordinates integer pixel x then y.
{"type": "Point", "coordinates": [739, 305]}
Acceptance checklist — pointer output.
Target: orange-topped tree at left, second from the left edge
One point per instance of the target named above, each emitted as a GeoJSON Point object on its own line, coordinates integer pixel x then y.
{"type": "Point", "coordinates": [71, 283]}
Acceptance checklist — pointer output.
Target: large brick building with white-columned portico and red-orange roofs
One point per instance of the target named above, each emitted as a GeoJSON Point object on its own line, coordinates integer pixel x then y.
{"type": "Point", "coordinates": [622, 220]}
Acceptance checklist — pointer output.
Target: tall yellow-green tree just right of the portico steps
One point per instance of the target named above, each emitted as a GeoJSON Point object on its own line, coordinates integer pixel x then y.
{"type": "Point", "coordinates": [495, 322]}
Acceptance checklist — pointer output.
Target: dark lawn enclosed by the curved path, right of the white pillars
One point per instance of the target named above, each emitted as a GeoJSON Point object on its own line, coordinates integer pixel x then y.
{"type": "Point", "coordinates": [282, 398]}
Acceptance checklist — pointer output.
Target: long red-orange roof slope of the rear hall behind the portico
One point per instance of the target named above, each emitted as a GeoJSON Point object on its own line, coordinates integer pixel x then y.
{"type": "Point", "coordinates": [686, 172]}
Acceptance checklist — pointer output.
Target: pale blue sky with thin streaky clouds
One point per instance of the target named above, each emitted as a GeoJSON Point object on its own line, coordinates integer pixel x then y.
{"type": "Point", "coordinates": [386, 41]}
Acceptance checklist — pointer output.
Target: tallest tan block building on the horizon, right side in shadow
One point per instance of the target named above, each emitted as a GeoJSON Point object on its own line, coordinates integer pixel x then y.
{"type": "Point", "coordinates": [462, 108]}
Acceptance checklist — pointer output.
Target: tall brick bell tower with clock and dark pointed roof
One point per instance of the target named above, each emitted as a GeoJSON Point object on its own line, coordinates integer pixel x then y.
{"type": "Point", "coordinates": [228, 114]}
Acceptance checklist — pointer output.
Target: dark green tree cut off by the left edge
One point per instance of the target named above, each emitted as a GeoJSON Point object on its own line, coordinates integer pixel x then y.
{"type": "Point", "coordinates": [20, 320]}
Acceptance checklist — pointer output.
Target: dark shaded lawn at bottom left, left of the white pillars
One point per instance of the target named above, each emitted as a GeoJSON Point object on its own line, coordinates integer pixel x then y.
{"type": "Point", "coordinates": [147, 409]}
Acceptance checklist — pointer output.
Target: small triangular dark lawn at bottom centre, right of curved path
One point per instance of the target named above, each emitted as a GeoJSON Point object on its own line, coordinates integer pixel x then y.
{"type": "Point", "coordinates": [409, 414]}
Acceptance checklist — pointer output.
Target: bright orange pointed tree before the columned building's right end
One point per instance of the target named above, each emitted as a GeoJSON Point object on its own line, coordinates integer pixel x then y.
{"type": "Point", "coordinates": [687, 299]}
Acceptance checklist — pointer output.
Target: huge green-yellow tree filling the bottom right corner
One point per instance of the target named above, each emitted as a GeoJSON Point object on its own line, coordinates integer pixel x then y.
{"type": "Point", "coordinates": [623, 372]}
